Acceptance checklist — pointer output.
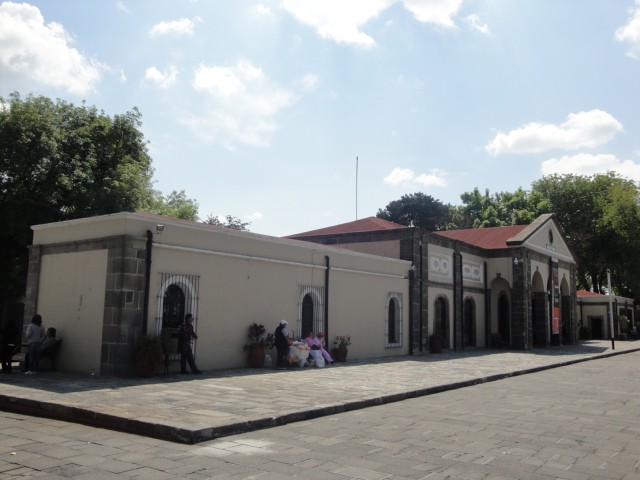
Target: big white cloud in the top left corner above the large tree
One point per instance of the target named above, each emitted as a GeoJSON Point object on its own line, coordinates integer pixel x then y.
{"type": "Point", "coordinates": [42, 53]}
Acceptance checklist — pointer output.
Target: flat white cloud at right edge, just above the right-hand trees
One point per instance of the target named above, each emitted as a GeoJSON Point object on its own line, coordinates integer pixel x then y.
{"type": "Point", "coordinates": [589, 164]}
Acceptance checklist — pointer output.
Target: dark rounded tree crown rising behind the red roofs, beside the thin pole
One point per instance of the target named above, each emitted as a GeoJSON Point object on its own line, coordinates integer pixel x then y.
{"type": "Point", "coordinates": [418, 210]}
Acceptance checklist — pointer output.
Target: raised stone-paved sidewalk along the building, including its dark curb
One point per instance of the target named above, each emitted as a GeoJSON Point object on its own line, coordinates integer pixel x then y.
{"type": "Point", "coordinates": [191, 409]}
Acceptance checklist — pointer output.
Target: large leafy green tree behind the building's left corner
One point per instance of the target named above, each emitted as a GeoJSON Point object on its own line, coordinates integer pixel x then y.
{"type": "Point", "coordinates": [58, 162]}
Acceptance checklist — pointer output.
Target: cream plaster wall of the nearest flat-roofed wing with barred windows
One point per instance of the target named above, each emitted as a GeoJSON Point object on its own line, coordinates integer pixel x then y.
{"type": "Point", "coordinates": [243, 278]}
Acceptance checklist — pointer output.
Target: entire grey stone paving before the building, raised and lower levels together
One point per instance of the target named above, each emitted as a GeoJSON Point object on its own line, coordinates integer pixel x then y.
{"type": "Point", "coordinates": [580, 421]}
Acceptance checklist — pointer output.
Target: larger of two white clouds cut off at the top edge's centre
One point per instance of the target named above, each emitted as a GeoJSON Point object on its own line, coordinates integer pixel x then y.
{"type": "Point", "coordinates": [336, 19]}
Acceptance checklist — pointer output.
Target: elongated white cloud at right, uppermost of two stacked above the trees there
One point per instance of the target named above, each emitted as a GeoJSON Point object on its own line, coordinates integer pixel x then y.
{"type": "Point", "coordinates": [580, 130]}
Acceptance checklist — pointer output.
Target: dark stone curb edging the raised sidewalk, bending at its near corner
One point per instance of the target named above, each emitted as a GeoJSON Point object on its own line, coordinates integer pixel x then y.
{"type": "Point", "coordinates": [89, 417]}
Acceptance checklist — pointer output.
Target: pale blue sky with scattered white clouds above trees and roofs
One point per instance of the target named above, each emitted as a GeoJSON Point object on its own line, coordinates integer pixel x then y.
{"type": "Point", "coordinates": [259, 109]}
